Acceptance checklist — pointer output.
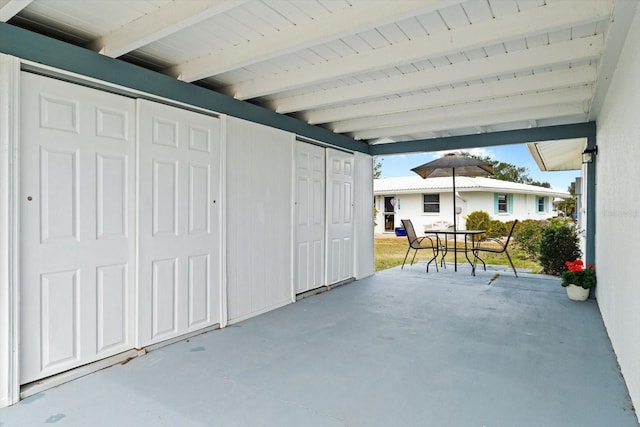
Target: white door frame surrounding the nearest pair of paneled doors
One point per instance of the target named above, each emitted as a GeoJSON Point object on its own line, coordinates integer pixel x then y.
{"type": "Point", "coordinates": [11, 68]}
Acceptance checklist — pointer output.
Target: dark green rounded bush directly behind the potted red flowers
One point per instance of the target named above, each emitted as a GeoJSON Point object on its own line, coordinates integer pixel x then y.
{"type": "Point", "coordinates": [558, 244]}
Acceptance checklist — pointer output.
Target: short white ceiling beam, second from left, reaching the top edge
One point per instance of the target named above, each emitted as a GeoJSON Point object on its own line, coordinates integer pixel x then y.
{"type": "Point", "coordinates": [166, 20]}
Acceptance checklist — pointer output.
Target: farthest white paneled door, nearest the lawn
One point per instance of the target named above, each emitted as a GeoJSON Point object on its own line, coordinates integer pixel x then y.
{"type": "Point", "coordinates": [340, 228]}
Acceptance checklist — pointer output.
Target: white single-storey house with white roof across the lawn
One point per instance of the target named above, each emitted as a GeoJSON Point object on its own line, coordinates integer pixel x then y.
{"type": "Point", "coordinates": [428, 202]}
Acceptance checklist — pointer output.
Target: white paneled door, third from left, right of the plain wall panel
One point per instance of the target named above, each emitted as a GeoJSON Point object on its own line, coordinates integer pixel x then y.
{"type": "Point", "coordinates": [310, 213]}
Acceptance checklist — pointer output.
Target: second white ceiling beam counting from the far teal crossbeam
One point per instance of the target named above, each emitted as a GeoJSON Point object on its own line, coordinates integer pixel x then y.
{"type": "Point", "coordinates": [469, 109]}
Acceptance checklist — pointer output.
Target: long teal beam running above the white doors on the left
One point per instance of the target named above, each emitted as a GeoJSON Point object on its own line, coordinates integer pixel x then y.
{"type": "Point", "coordinates": [64, 56]}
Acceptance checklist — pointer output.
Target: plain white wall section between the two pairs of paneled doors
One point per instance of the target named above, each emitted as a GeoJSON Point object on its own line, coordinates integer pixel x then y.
{"type": "Point", "coordinates": [258, 218]}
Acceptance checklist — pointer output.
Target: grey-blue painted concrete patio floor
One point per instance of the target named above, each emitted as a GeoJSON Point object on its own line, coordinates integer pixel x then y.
{"type": "Point", "coordinates": [401, 348]}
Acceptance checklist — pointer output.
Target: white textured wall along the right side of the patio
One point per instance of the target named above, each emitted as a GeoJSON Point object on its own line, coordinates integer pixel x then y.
{"type": "Point", "coordinates": [618, 211]}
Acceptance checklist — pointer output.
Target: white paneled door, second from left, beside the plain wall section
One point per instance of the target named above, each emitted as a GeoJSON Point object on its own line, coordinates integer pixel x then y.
{"type": "Point", "coordinates": [179, 231]}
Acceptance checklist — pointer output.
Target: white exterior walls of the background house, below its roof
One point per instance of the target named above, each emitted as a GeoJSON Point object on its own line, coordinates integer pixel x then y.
{"type": "Point", "coordinates": [410, 206]}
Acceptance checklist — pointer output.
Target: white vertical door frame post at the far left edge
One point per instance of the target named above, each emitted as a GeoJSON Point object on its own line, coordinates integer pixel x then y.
{"type": "Point", "coordinates": [9, 229]}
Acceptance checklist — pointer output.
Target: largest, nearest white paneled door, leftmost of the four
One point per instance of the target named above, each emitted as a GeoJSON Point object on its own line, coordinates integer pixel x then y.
{"type": "Point", "coordinates": [77, 235]}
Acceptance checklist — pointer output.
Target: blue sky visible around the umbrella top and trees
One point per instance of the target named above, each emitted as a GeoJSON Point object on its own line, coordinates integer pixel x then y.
{"type": "Point", "coordinates": [401, 164]}
